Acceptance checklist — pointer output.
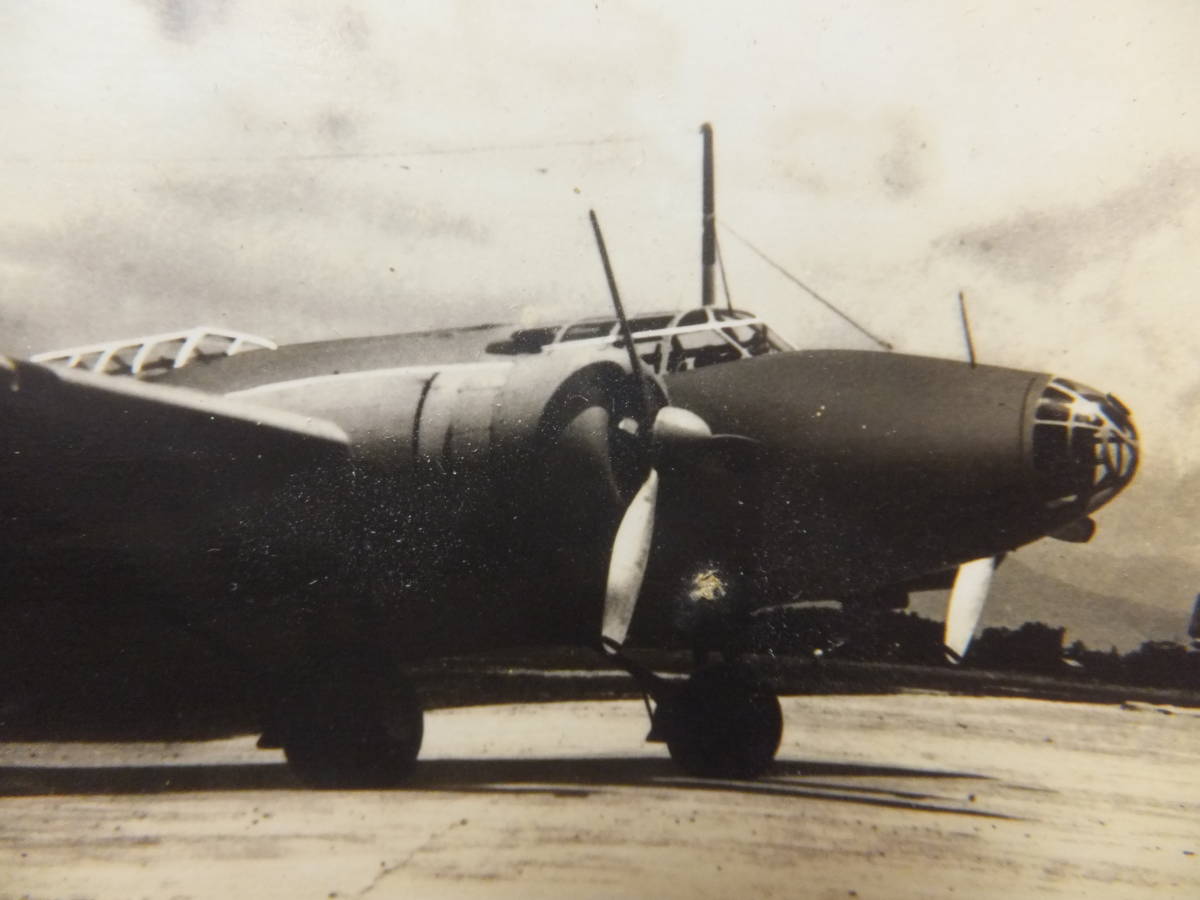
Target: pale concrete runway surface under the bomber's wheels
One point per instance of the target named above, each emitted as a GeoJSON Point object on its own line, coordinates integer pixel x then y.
{"type": "Point", "coordinates": [873, 797]}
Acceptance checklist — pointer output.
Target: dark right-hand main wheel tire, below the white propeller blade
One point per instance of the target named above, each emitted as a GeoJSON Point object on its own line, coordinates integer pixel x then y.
{"type": "Point", "coordinates": [725, 723]}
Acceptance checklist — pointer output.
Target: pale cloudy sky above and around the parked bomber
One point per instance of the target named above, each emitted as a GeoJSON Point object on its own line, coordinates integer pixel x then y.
{"type": "Point", "coordinates": [314, 170]}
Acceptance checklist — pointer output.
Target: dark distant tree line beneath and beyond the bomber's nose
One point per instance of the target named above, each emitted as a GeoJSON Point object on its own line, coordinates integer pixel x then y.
{"type": "Point", "coordinates": [898, 637]}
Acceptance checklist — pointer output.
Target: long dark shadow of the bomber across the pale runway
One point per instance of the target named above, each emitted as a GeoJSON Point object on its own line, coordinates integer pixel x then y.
{"type": "Point", "coordinates": [556, 777]}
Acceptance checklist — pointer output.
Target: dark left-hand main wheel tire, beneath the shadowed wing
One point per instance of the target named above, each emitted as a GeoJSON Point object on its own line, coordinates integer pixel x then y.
{"type": "Point", "coordinates": [358, 729]}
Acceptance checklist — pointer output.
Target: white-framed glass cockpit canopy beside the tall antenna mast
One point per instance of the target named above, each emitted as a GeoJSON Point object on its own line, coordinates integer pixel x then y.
{"type": "Point", "coordinates": [667, 343]}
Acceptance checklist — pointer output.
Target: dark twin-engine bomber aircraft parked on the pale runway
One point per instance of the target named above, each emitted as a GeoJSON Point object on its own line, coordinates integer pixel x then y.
{"type": "Point", "coordinates": [319, 517]}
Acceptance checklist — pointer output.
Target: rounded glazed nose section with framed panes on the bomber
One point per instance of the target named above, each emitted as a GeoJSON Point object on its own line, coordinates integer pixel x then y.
{"type": "Point", "coordinates": [1085, 446]}
